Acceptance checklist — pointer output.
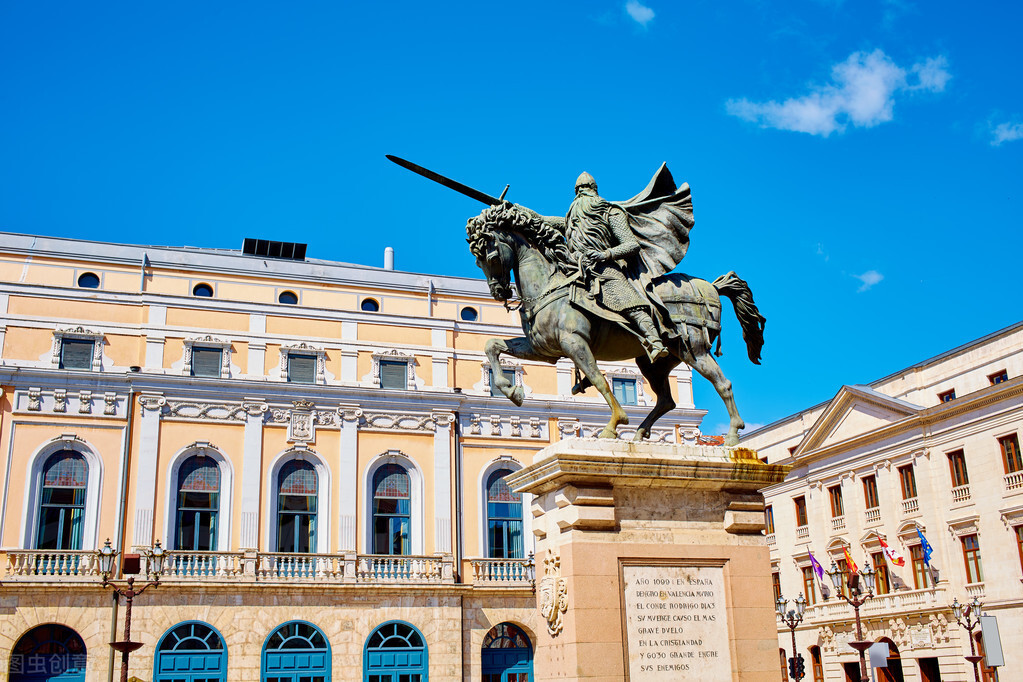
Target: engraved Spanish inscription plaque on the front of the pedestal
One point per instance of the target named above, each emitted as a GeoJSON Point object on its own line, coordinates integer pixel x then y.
{"type": "Point", "coordinates": [676, 623]}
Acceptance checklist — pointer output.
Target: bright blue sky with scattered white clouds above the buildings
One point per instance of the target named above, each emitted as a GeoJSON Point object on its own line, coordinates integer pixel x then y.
{"type": "Point", "coordinates": [859, 163]}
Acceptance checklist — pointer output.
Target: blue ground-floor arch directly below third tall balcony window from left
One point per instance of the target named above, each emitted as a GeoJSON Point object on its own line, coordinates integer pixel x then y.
{"type": "Point", "coordinates": [296, 653]}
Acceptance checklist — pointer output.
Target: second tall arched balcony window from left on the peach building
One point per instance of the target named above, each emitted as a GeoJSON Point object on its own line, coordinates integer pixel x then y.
{"type": "Point", "coordinates": [199, 503]}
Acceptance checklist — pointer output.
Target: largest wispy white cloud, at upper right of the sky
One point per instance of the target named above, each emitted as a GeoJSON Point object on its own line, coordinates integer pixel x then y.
{"type": "Point", "coordinates": [862, 94]}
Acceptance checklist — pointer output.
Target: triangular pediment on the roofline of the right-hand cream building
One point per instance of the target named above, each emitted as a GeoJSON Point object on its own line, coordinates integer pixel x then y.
{"type": "Point", "coordinates": [856, 411]}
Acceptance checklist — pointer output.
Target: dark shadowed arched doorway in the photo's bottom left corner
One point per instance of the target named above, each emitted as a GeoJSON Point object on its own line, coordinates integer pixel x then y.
{"type": "Point", "coordinates": [49, 653]}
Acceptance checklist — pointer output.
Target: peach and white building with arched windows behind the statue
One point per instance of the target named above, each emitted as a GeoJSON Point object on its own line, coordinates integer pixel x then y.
{"type": "Point", "coordinates": [317, 445]}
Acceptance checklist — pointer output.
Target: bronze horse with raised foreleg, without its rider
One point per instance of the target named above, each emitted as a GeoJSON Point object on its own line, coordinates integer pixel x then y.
{"type": "Point", "coordinates": [560, 323]}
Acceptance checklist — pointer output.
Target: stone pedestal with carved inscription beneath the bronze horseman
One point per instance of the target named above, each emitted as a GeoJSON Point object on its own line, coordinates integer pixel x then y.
{"type": "Point", "coordinates": [651, 563]}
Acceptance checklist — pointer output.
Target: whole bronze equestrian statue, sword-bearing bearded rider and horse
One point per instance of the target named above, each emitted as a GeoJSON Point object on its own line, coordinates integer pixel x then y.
{"type": "Point", "coordinates": [598, 286]}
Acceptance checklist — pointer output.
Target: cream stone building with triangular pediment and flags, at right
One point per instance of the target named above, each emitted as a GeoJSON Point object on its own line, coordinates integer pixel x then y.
{"type": "Point", "coordinates": [932, 452]}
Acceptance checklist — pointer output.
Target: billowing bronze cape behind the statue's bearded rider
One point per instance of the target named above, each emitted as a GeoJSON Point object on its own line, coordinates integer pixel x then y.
{"type": "Point", "coordinates": [661, 217]}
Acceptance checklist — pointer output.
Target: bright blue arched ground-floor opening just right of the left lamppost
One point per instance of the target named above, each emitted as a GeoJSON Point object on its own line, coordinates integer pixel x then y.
{"type": "Point", "coordinates": [192, 653]}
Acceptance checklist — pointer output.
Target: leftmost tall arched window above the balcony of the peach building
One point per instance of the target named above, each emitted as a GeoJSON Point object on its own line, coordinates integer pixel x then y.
{"type": "Point", "coordinates": [62, 508]}
